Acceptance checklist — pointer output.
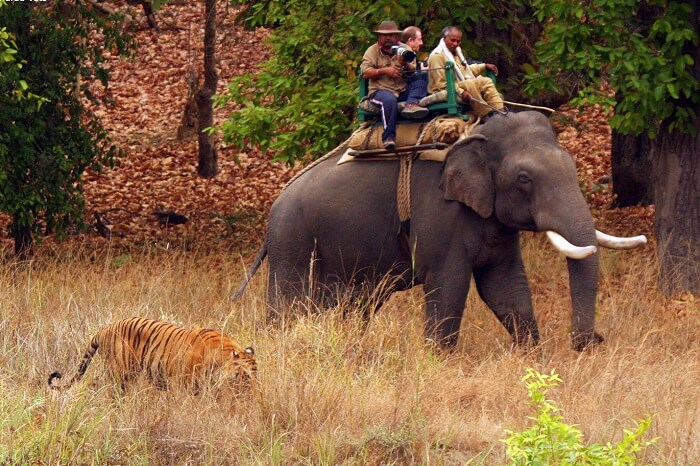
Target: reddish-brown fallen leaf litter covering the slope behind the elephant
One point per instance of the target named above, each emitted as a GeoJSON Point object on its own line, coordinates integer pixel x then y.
{"type": "Point", "coordinates": [149, 91]}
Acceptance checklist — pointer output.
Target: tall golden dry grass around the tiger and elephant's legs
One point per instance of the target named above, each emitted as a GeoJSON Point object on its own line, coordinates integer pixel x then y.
{"type": "Point", "coordinates": [331, 389]}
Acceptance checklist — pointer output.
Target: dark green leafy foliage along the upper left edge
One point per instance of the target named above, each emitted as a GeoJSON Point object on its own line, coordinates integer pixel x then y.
{"type": "Point", "coordinates": [45, 148]}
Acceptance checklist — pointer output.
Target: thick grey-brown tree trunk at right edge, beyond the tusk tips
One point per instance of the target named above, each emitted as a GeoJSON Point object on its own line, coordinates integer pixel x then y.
{"type": "Point", "coordinates": [677, 222]}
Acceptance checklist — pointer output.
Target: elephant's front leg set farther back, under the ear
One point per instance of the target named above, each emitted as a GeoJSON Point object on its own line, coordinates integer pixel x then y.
{"type": "Point", "coordinates": [445, 295]}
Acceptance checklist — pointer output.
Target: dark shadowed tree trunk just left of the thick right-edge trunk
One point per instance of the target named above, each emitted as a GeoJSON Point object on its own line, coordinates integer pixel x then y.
{"type": "Point", "coordinates": [631, 170]}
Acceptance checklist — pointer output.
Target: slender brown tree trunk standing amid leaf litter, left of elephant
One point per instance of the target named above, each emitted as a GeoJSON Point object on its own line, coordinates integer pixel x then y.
{"type": "Point", "coordinates": [207, 151]}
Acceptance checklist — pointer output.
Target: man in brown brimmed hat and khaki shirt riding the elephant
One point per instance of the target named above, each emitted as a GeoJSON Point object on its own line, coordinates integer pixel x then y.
{"type": "Point", "coordinates": [387, 82]}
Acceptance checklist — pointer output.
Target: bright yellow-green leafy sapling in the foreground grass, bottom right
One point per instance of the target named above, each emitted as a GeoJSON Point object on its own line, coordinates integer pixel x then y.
{"type": "Point", "coordinates": [551, 441]}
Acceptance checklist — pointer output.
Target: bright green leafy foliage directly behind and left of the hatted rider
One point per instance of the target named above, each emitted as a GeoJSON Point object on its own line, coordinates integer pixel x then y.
{"type": "Point", "coordinates": [303, 99]}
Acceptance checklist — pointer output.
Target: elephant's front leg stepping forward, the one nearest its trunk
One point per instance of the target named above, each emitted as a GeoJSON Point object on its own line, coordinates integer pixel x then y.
{"type": "Point", "coordinates": [504, 288]}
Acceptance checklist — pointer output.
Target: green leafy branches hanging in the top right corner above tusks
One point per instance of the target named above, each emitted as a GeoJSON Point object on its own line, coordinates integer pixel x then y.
{"type": "Point", "coordinates": [645, 51]}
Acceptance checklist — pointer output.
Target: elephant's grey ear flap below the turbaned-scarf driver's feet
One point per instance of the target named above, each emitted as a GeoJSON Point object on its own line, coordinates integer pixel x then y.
{"type": "Point", "coordinates": [467, 179]}
